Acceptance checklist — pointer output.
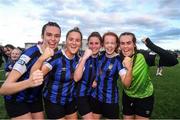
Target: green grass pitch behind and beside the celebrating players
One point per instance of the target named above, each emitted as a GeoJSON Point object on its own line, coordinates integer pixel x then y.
{"type": "Point", "coordinates": [167, 94]}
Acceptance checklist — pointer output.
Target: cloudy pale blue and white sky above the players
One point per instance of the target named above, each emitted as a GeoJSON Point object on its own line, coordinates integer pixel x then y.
{"type": "Point", "coordinates": [22, 20]}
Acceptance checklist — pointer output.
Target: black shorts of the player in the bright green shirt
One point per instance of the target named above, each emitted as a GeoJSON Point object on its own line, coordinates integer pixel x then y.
{"type": "Point", "coordinates": [137, 106]}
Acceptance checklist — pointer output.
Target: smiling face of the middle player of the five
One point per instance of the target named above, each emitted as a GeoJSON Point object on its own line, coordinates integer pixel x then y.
{"type": "Point", "coordinates": [94, 44]}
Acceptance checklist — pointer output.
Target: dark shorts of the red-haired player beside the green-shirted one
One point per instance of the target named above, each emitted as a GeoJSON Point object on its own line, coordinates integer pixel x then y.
{"type": "Point", "coordinates": [108, 110]}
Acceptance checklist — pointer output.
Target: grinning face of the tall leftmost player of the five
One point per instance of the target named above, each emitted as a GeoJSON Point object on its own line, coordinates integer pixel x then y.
{"type": "Point", "coordinates": [51, 37]}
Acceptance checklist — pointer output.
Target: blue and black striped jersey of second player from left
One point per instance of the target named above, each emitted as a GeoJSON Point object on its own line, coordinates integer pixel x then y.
{"type": "Point", "coordinates": [60, 88]}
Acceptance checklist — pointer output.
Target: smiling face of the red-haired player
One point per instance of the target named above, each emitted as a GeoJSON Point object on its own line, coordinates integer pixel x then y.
{"type": "Point", "coordinates": [110, 44]}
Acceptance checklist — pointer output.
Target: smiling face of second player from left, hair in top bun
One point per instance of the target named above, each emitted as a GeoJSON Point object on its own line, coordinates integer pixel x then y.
{"type": "Point", "coordinates": [73, 43]}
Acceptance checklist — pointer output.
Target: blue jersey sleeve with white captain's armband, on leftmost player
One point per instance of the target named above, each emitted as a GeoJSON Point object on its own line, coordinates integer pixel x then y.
{"type": "Point", "coordinates": [21, 64]}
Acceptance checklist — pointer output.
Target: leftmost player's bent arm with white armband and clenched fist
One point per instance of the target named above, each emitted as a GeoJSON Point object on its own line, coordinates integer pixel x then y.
{"type": "Point", "coordinates": [12, 85]}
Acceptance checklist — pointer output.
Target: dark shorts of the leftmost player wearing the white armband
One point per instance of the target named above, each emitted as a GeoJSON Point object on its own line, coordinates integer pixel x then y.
{"type": "Point", "coordinates": [15, 109]}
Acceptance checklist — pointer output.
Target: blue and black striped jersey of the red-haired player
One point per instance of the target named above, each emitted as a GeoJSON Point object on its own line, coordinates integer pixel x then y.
{"type": "Point", "coordinates": [107, 76]}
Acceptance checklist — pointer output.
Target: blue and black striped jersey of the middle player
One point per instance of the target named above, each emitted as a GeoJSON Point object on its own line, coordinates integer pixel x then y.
{"type": "Point", "coordinates": [84, 86]}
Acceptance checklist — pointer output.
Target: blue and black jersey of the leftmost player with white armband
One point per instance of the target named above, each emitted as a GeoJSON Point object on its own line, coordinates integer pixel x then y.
{"type": "Point", "coordinates": [23, 65]}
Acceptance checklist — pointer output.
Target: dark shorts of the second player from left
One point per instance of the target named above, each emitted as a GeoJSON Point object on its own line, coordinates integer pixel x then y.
{"type": "Point", "coordinates": [57, 111]}
